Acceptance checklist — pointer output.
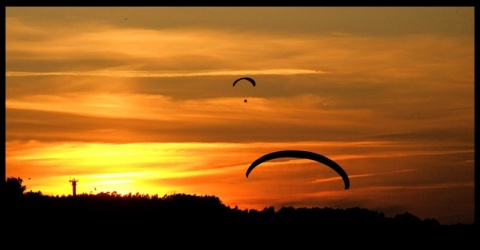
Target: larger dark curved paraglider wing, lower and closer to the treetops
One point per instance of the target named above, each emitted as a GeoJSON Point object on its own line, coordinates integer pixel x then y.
{"type": "Point", "coordinates": [304, 155]}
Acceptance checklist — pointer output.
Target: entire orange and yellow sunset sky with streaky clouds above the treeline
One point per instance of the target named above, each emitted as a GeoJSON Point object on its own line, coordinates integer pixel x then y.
{"type": "Point", "coordinates": [140, 100]}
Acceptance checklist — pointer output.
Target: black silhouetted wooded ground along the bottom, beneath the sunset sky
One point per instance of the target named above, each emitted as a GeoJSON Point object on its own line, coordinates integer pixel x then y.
{"type": "Point", "coordinates": [181, 220]}
